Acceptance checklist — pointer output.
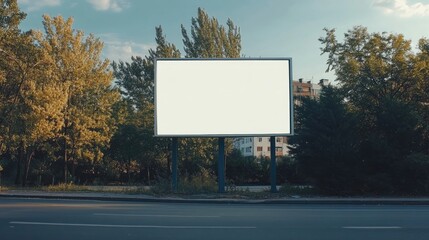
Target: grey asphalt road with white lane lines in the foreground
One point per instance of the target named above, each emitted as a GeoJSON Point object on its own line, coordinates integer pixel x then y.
{"type": "Point", "coordinates": [67, 219]}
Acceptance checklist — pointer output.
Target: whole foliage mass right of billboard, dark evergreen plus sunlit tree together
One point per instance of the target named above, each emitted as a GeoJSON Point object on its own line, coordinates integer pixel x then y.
{"type": "Point", "coordinates": [369, 135]}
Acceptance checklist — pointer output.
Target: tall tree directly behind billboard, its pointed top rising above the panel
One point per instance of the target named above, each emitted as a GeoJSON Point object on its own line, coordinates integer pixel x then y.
{"type": "Point", "coordinates": [208, 39]}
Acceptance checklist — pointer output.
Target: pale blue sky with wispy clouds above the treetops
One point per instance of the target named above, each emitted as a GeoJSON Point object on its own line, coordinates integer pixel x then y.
{"type": "Point", "coordinates": [269, 28]}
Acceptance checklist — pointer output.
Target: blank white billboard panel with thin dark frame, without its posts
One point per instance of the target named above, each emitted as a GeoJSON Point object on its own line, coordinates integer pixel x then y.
{"type": "Point", "coordinates": [223, 97]}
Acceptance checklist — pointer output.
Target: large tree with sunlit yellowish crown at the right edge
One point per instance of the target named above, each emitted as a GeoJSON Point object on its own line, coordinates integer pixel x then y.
{"type": "Point", "coordinates": [385, 84]}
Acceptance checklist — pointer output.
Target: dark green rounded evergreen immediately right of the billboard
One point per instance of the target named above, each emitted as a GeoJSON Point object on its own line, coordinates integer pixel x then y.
{"type": "Point", "coordinates": [326, 143]}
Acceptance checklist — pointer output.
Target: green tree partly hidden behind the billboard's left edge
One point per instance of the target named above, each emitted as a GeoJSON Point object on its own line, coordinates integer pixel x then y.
{"type": "Point", "coordinates": [136, 81]}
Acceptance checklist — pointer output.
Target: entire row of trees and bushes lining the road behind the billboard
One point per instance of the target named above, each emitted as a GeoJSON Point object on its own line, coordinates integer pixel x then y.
{"type": "Point", "coordinates": [71, 119]}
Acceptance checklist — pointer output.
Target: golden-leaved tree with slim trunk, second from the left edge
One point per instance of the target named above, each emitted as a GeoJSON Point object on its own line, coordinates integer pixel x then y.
{"type": "Point", "coordinates": [85, 80]}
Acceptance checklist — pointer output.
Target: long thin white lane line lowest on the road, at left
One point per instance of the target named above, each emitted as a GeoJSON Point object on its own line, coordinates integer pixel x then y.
{"type": "Point", "coordinates": [129, 226]}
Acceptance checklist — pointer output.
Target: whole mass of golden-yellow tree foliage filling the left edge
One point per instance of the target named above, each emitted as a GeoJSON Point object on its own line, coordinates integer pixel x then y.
{"type": "Point", "coordinates": [53, 88]}
